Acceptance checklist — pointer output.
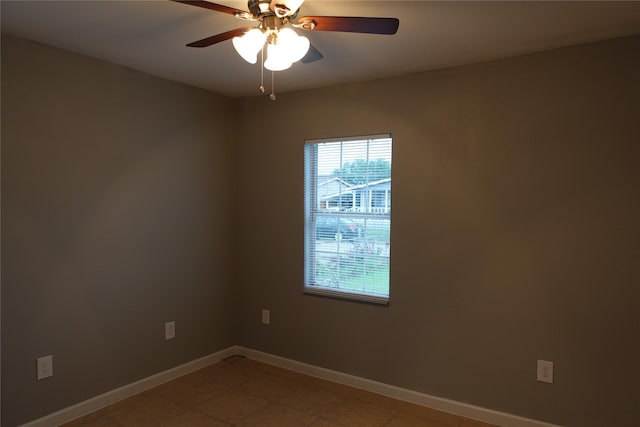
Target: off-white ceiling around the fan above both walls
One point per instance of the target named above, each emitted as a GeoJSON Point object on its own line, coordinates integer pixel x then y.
{"type": "Point", "coordinates": [150, 36]}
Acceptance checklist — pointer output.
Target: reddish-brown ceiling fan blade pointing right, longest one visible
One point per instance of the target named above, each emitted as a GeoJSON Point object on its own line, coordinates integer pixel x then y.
{"type": "Point", "coordinates": [350, 24]}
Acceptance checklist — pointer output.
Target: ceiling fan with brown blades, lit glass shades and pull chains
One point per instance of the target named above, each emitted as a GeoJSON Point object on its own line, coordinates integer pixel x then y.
{"type": "Point", "coordinates": [283, 45]}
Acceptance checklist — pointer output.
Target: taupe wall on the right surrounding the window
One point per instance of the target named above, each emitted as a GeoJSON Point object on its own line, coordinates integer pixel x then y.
{"type": "Point", "coordinates": [515, 234]}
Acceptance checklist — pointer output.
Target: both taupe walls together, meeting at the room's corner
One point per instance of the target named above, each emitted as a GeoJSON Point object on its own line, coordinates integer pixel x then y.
{"type": "Point", "coordinates": [514, 233]}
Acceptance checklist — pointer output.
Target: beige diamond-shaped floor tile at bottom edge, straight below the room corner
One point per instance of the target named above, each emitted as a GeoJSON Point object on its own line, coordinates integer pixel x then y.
{"type": "Point", "coordinates": [232, 406]}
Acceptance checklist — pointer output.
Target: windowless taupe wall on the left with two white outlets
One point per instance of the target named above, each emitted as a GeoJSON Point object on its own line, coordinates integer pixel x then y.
{"type": "Point", "coordinates": [116, 213]}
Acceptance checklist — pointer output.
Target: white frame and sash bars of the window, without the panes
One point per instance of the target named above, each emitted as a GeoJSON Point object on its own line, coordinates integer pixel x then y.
{"type": "Point", "coordinates": [311, 211]}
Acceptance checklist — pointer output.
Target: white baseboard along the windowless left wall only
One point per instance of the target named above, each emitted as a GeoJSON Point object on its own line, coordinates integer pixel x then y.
{"type": "Point", "coordinates": [88, 406]}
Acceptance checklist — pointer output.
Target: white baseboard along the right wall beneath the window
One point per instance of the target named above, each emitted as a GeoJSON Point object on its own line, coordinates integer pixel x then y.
{"type": "Point", "coordinates": [433, 402]}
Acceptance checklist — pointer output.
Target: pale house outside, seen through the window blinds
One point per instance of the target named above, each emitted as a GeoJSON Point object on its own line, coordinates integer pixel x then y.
{"type": "Point", "coordinates": [374, 197]}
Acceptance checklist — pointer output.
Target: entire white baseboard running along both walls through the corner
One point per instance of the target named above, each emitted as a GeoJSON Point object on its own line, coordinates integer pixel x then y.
{"type": "Point", "coordinates": [453, 407]}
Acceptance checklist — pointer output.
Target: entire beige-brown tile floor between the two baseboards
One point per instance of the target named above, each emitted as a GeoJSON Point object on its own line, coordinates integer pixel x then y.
{"type": "Point", "coordinates": [242, 392]}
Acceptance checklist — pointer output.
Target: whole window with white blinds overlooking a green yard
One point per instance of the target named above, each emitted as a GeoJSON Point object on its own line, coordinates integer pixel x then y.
{"type": "Point", "coordinates": [348, 218]}
